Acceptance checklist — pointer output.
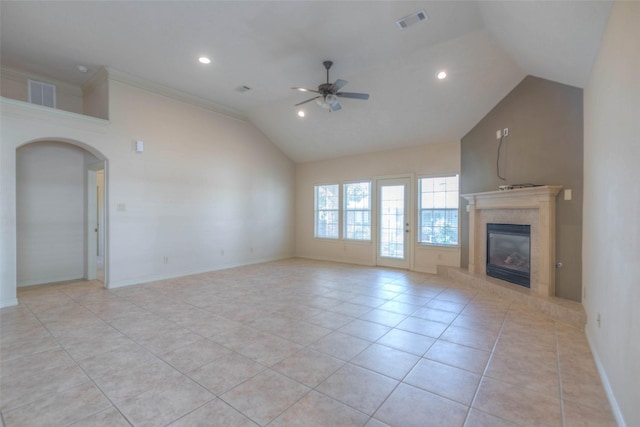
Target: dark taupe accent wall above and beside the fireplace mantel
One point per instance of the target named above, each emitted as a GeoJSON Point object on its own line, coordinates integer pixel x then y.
{"type": "Point", "coordinates": [544, 146]}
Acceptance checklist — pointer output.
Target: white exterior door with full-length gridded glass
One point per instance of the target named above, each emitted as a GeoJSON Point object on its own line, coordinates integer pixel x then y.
{"type": "Point", "coordinates": [394, 223]}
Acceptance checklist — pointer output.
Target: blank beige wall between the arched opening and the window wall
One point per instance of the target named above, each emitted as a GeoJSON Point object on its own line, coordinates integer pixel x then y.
{"type": "Point", "coordinates": [208, 191]}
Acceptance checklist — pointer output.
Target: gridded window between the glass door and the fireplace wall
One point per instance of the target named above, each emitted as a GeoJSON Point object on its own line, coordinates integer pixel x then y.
{"type": "Point", "coordinates": [438, 211]}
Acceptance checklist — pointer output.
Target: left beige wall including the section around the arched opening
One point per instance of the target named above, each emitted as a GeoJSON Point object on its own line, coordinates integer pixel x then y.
{"type": "Point", "coordinates": [208, 192]}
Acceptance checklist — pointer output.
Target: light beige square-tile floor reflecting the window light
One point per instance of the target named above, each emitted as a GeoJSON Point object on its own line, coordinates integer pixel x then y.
{"type": "Point", "coordinates": [291, 343]}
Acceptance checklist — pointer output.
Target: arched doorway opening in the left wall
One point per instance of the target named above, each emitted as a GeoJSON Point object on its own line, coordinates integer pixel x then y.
{"type": "Point", "coordinates": [58, 206]}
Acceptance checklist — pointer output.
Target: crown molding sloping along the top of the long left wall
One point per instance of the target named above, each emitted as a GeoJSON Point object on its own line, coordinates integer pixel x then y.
{"type": "Point", "coordinates": [140, 83]}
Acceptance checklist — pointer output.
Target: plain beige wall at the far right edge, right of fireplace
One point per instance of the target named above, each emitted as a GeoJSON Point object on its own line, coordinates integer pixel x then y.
{"type": "Point", "coordinates": [611, 244]}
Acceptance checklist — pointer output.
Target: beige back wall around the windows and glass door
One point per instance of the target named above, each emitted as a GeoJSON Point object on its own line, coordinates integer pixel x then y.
{"type": "Point", "coordinates": [426, 160]}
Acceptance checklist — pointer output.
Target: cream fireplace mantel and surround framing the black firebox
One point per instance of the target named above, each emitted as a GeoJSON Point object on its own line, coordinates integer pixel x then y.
{"type": "Point", "coordinates": [535, 206]}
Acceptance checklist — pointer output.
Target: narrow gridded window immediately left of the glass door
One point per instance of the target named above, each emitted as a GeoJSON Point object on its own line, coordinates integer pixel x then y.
{"type": "Point", "coordinates": [357, 211]}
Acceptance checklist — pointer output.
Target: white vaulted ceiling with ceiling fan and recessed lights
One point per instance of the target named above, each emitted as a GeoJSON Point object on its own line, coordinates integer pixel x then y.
{"type": "Point", "coordinates": [486, 47]}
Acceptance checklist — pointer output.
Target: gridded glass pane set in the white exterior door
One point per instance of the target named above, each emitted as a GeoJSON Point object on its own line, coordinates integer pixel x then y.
{"type": "Point", "coordinates": [392, 221]}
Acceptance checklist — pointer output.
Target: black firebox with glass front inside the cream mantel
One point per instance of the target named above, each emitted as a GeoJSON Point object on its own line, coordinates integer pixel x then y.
{"type": "Point", "coordinates": [509, 253]}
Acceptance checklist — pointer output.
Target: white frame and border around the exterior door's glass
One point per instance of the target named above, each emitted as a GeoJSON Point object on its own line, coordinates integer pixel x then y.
{"type": "Point", "coordinates": [407, 262]}
